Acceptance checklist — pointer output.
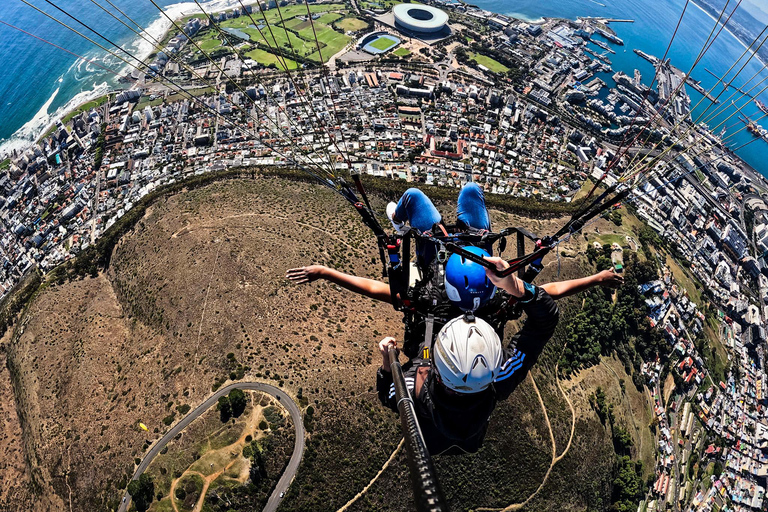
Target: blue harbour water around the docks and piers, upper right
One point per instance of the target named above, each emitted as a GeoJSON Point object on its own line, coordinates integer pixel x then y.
{"type": "Point", "coordinates": [654, 23]}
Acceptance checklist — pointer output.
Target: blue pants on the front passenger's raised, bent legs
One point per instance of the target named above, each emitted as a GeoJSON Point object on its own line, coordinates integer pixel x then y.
{"type": "Point", "coordinates": [417, 208]}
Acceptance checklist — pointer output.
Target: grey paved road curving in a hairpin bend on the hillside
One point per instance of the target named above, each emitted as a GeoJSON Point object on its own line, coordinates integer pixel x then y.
{"type": "Point", "coordinates": [285, 400]}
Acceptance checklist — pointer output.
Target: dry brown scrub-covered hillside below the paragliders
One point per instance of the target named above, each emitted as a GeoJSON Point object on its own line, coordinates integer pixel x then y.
{"type": "Point", "coordinates": [200, 277]}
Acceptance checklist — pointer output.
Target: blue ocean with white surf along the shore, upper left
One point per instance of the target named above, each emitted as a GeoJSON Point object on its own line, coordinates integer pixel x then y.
{"type": "Point", "coordinates": [39, 82]}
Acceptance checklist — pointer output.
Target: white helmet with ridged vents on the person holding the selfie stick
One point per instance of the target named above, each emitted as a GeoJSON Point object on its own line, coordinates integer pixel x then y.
{"type": "Point", "coordinates": [467, 354]}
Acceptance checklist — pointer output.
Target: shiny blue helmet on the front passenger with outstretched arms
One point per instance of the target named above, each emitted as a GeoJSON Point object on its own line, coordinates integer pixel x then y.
{"type": "Point", "coordinates": [465, 281]}
